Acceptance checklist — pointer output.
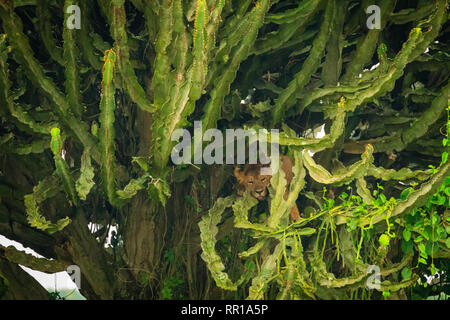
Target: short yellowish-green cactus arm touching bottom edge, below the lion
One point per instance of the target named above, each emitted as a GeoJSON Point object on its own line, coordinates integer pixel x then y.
{"type": "Point", "coordinates": [268, 269]}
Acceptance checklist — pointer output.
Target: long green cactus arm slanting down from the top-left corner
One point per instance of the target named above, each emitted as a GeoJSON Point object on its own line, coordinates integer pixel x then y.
{"type": "Point", "coordinates": [24, 55]}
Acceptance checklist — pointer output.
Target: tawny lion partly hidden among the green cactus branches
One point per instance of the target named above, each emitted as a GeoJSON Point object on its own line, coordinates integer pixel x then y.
{"type": "Point", "coordinates": [250, 179]}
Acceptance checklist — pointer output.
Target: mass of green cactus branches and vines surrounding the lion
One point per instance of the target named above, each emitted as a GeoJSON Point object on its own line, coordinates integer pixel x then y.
{"type": "Point", "coordinates": [366, 199]}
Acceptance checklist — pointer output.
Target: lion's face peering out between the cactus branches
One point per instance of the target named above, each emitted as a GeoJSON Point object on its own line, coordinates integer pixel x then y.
{"type": "Point", "coordinates": [250, 179]}
